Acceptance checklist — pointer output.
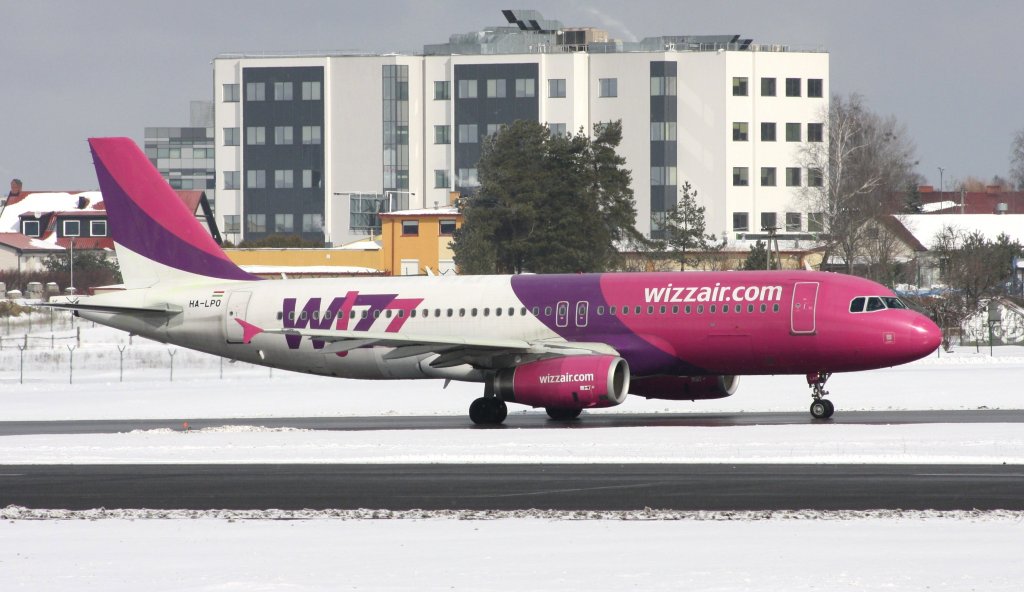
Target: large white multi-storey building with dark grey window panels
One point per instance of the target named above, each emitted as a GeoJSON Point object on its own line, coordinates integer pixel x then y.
{"type": "Point", "coordinates": [318, 145]}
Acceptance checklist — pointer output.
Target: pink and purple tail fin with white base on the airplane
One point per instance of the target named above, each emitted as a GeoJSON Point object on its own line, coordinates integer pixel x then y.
{"type": "Point", "coordinates": [156, 237]}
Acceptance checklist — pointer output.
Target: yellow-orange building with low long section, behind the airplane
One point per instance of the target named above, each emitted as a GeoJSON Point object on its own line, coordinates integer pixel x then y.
{"type": "Point", "coordinates": [412, 242]}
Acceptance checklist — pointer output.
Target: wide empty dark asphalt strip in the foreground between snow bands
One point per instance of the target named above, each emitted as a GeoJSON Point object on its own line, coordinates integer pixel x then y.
{"type": "Point", "coordinates": [630, 487]}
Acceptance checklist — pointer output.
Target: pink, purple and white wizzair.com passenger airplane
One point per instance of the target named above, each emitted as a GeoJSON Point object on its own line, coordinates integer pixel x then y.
{"type": "Point", "coordinates": [563, 343]}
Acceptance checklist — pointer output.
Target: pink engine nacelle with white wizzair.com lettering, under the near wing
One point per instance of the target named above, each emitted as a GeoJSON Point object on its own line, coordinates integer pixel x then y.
{"type": "Point", "coordinates": [569, 383]}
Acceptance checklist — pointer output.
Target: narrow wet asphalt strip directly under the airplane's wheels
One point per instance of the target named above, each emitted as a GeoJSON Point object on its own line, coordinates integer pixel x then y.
{"type": "Point", "coordinates": [518, 421]}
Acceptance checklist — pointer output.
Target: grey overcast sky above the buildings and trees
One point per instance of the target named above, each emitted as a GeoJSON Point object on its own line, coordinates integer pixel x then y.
{"type": "Point", "coordinates": [70, 70]}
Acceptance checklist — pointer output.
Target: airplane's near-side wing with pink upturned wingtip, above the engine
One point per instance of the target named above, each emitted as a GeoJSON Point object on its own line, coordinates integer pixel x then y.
{"type": "Point", "coordinates": [452, 351]}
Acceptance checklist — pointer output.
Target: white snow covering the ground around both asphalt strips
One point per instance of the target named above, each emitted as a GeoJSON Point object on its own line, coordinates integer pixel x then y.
{"type": "Point", "coordinates": [134, 551]}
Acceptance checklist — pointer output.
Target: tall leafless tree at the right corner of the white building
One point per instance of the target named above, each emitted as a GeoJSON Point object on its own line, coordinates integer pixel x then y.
{"type": "Point", "coordinates": [857, 176]}
